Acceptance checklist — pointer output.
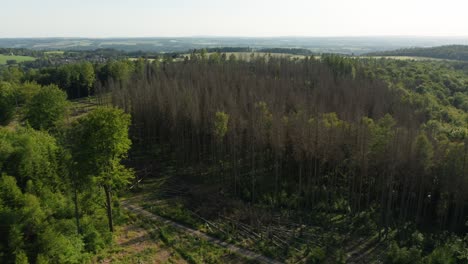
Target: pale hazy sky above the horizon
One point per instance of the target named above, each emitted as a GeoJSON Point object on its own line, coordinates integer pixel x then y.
{"type": "Point", "coordinates": [153, 18]}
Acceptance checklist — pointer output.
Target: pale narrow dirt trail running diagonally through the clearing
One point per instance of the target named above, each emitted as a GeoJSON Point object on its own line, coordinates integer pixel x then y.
{"type": "Point", "coordinates": [233, 248]}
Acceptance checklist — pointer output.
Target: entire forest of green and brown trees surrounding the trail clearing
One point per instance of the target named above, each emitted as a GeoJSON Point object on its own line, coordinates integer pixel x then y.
{"type": "Point", "coordinates": [306, 157]}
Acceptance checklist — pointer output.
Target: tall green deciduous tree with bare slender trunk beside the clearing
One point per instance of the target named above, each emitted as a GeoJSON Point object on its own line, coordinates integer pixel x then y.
{"type": "Point", "coordinates": [100, 143]}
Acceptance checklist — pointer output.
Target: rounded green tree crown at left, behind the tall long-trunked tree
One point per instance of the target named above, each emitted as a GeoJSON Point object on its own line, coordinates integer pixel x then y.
{"type": "Point", "coordinates": [46, 108]}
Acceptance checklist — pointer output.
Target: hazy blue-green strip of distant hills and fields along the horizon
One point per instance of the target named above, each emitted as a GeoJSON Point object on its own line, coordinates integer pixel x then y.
{"type": "Point", "coordinates": [315, 45]}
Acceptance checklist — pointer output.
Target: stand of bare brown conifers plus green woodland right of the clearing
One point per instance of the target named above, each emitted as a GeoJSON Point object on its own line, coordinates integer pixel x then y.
{"type": "Point", "coordinates": [380, 140]}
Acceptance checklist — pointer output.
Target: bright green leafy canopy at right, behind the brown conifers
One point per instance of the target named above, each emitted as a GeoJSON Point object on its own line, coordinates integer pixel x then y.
{"type": "Point", "coordinates": [437, 90]}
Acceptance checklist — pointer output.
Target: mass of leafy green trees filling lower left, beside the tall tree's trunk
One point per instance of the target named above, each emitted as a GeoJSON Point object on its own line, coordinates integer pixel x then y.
{"type": "Point", "coordinates": [36, 208]}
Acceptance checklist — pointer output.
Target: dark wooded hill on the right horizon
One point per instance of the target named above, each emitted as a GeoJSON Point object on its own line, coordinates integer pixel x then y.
{"type": "Point", "coordinates": [449, 52]}
